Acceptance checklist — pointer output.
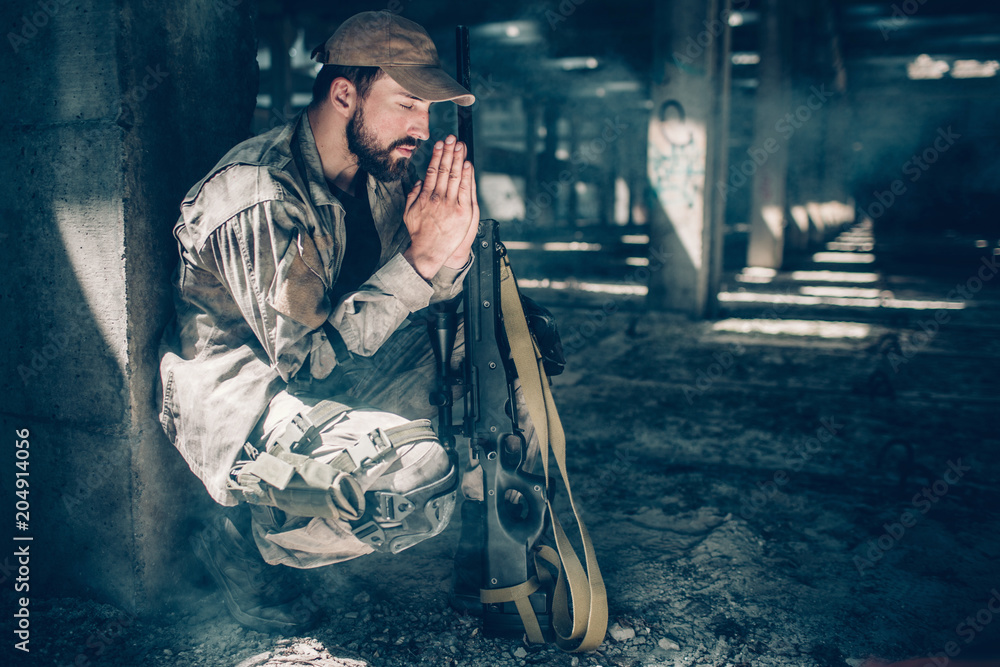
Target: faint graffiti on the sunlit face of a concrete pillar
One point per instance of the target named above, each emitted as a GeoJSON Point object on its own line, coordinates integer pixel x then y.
{"type": "Point", "coordinates": [677, 158]}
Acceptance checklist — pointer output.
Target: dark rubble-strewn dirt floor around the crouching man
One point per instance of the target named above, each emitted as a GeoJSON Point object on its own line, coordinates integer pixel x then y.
{"type": "Point", "coordinates": [808, 498]}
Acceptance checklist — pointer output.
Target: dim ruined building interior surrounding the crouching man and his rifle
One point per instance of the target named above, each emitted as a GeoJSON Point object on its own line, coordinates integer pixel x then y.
{"type": "Point", "coordinates": [768, 230]}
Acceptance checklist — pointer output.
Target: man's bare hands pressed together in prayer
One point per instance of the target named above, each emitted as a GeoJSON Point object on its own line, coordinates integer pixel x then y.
{"type": "Point", "coordinates": [442, 212]}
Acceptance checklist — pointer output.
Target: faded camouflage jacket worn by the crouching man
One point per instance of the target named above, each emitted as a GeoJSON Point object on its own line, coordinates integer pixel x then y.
{"type": "Point", "coordinates": [261, 242]}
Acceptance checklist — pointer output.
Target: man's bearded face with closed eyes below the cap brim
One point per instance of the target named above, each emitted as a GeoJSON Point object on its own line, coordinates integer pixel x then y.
{"type": "Point", "coordinates": [386, 128]}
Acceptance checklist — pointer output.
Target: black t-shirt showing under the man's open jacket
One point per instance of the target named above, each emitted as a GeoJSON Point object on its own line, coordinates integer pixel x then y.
{"type": "Point", "coordinates": [364, 247]}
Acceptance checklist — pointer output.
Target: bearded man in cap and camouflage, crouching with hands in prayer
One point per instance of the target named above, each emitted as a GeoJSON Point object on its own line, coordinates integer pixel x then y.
{"type": "Point", "coordinates": [297, 372]}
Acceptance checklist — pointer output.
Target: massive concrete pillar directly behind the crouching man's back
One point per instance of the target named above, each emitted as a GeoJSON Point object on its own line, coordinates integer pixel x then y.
{"type": "Point", "coordinates": [113, 109]}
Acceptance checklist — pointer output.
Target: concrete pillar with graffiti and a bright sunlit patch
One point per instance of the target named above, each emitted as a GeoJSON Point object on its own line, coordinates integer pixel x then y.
{"type": "Point", "coordinates": [686, 135]}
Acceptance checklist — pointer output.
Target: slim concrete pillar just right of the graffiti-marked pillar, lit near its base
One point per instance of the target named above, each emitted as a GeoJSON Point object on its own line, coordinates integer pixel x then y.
{"type": "Point", "coordinates": [769, 196]}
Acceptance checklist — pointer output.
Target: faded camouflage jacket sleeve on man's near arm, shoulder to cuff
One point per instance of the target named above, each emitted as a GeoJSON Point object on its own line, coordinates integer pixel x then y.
{"type": "Point", "coordinates": [277, 270]}
